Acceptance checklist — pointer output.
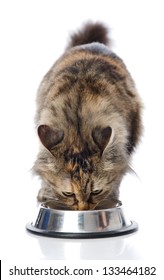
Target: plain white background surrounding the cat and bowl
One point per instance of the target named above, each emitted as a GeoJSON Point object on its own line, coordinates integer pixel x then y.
{"type": "Point", "coordinates": [33, 35]}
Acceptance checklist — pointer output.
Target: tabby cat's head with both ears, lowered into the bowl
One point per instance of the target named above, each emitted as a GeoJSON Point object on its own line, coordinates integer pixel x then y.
{"type": "Point", "coordinates": [79, 173]}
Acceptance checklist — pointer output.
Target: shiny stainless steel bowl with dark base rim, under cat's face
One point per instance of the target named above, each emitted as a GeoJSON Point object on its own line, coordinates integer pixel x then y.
{"type": "Point", "coordinates": [81, 224]}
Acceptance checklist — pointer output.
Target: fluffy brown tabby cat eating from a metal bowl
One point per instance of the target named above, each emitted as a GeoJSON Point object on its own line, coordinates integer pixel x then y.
{"type": "Point", "coordinates": [88, 120]}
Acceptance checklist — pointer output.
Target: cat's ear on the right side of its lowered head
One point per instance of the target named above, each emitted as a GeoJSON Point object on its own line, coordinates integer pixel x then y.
{"type": "Point", "coordinates": [101, 136]}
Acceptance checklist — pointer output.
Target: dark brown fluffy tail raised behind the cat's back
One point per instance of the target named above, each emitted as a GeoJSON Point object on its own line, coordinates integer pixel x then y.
{"type": "Point", "coordinates": [90, 33]}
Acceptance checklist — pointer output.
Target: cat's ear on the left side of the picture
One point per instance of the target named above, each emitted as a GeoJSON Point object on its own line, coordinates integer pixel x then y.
{"type": "Point", "coordinates": [50, 137]}
